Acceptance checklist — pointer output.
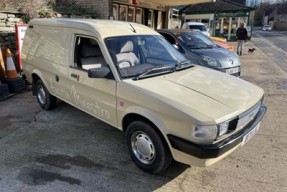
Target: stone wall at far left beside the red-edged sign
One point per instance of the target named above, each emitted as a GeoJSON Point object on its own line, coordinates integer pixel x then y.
{"type": "Point", "coordinates": [7, 29]}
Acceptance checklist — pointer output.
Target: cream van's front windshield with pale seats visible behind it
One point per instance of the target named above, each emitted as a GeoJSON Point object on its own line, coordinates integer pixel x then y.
{"type": "Point", "coordinates": [143, 55]}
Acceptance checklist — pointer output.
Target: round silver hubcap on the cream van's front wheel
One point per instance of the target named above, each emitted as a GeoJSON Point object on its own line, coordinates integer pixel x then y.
{"type": "Point", "coordinates": [143, 147]}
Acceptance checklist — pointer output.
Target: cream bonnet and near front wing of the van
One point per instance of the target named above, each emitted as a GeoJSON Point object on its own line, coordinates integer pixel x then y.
{"type": "Point", "coordinates": [188, 101]}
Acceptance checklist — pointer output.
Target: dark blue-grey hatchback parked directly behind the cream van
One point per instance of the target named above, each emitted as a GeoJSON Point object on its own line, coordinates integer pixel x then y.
{"type": "Point", "coordinates": [199, 49]}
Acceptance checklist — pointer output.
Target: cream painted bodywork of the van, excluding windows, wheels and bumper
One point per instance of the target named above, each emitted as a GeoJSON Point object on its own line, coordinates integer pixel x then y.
{"type": "Point", "coordinates": [172, 102]}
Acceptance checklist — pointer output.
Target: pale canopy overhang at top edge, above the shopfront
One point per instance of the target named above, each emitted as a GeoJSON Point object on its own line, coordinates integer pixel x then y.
{"type": "Point", "coordinates": [178, 2]}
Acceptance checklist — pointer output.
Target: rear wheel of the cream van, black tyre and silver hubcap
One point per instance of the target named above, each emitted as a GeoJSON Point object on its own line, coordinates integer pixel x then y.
{"type": "Point", "coordinates": [44, 98]}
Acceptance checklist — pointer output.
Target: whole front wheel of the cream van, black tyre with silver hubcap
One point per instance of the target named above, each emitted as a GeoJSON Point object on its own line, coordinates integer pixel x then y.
{"type": "Point", "coordinates": [147, 149]}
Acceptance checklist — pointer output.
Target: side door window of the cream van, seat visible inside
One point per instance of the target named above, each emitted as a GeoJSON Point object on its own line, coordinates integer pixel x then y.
{"type": "Point", "coordinates": [88, 54]}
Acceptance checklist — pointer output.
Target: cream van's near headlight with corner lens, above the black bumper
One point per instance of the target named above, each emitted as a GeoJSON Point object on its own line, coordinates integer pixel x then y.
{"type": "Point", "coordinates": [209, 133]}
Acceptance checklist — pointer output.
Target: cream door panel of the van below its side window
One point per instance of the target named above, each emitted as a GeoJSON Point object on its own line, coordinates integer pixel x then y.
{"type": "Point", "coordinates": [95, 96]}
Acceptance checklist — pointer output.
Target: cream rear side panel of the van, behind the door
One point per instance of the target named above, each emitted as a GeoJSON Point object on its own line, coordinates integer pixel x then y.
{"type": "Point", "coordinates": [47, 52]}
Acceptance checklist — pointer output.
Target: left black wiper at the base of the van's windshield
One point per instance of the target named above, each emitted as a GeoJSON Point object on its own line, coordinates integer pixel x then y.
{"type": "Point", "coordinates": [155, 71]}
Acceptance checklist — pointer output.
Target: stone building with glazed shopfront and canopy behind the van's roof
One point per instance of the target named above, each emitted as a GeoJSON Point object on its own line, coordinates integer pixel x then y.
{"type": "Point", "coordinates": [153, 13]}
